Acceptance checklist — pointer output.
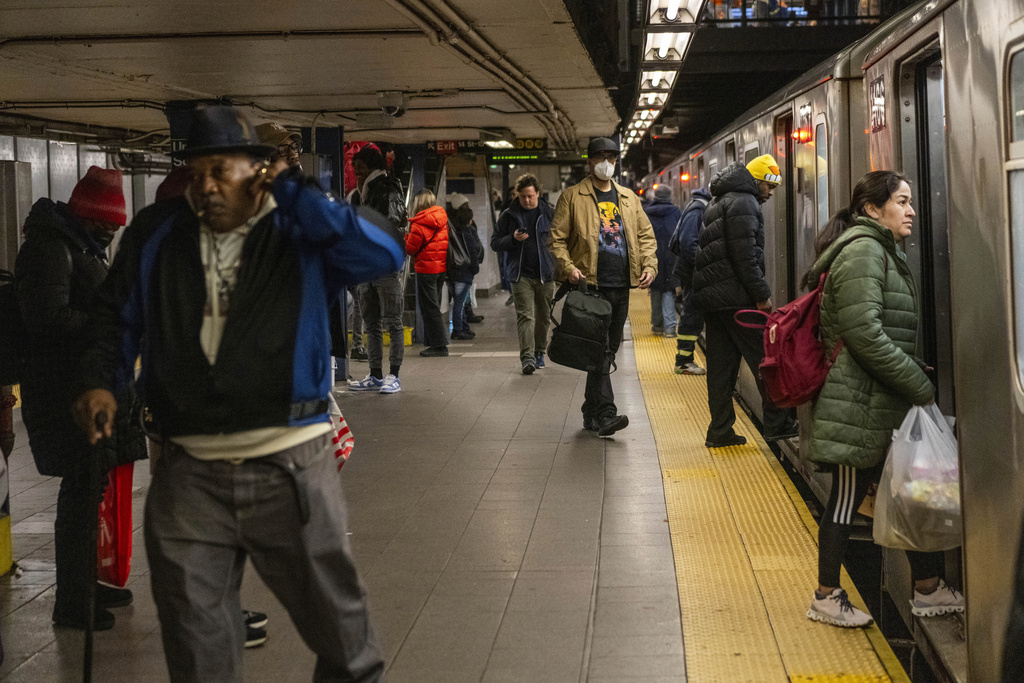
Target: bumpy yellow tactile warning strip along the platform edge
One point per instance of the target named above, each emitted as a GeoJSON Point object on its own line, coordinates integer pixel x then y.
{"type": "Point", "coordinates": [745, 545]}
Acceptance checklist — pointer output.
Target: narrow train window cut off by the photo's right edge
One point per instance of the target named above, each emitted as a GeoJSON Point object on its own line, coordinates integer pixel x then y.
{"type": "Point", "coordinates": [1016, 168]}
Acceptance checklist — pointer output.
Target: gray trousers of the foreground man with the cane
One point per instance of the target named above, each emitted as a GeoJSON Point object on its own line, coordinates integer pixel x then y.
{"type": "Point", "coordinates": [285, 513]}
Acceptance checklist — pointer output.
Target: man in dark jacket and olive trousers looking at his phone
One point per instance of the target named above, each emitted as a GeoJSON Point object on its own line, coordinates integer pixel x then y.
{"type": "Point", "coordinates": [522, 234]}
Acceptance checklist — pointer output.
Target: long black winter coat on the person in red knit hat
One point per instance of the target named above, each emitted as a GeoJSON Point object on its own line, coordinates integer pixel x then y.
{"type": "Point", "coordinates": [59, 271]}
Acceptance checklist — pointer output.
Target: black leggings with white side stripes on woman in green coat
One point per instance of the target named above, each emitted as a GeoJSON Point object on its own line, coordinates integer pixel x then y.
{"type": "Point", "coordinates": [849, 489]}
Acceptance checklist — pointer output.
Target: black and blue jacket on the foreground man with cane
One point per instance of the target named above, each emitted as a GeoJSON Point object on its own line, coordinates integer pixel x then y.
{"type": "Point", "coordinates": [274, 364]}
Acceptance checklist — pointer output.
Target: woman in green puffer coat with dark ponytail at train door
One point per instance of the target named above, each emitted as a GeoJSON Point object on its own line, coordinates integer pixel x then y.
{"type": "Point", "coordinates": [870, 305]}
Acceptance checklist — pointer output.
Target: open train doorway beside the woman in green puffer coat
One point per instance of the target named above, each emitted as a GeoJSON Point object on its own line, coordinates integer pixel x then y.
{"type": "Point", "coordinates": [924, 136]}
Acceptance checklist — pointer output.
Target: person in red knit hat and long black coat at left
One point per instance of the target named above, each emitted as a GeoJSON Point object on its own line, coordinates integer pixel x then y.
{"type": "Point", "coordinates": [60, 268]}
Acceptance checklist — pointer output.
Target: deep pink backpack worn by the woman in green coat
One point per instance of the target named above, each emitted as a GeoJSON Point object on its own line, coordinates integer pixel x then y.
{"type": "Point", "coordinates": [796, 363]}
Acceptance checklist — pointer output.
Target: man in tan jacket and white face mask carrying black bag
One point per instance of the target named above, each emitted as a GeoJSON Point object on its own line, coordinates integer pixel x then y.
{"type": "Point", "coordinates": [602, 234]}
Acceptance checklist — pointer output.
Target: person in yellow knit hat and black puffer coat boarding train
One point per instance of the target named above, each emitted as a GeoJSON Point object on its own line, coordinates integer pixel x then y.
{"type": "Point", "coordinates": [729, 276]}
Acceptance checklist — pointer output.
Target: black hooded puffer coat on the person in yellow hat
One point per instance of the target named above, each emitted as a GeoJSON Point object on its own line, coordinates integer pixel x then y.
{"type": "Point", "coordinates": [730, 268]}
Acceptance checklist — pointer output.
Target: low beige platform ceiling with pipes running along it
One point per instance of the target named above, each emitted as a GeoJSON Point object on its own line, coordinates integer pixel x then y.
{"type": "Point", "coordinates": [296, 59]}
